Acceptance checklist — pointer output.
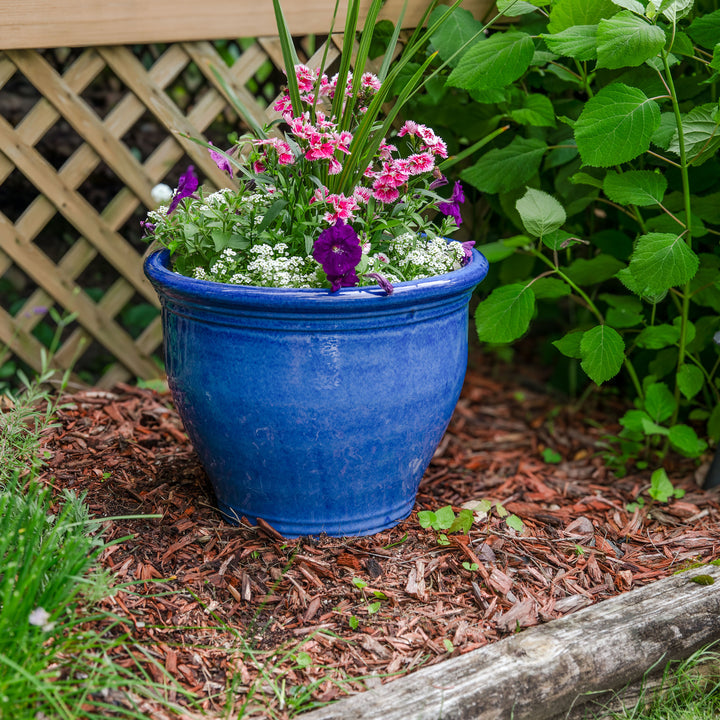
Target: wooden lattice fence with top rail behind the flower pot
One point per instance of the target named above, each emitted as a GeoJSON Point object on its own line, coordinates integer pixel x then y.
{"type": "Point", "coordinates": [87, 130]}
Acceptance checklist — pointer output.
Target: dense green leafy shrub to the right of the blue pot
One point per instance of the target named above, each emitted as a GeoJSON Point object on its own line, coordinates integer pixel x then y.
{"type": "Point", "coordinates": [609, 173]}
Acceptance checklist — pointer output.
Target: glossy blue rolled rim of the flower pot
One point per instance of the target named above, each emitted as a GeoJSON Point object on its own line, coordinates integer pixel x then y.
{"type": "Point", "coordinates": [157, 268]}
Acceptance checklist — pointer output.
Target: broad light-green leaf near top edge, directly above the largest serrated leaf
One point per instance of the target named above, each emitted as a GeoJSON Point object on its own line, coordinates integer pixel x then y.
{"type": "Point", "coordinates": [626, 40]}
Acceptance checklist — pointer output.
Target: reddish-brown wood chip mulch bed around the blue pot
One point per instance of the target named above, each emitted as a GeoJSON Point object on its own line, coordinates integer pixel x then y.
{"type": "Point", "coordinates": [218, 595]}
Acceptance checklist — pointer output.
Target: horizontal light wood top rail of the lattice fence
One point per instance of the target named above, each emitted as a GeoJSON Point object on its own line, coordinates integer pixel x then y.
{"type": "Point", "coordinates": [67, 23]}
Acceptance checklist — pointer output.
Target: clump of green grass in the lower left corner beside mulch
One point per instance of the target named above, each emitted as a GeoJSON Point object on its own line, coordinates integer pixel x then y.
{"type": "Point", "coordinates": [51, 665]}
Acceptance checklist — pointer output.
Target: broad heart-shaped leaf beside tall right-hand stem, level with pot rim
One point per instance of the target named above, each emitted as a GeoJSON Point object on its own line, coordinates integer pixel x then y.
{"type": "Point", "coordinates": [661, 261]}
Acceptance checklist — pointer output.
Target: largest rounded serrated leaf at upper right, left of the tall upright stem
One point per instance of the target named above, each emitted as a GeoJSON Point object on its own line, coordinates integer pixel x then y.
{"type": "Point", "coordinates": [616, 125]}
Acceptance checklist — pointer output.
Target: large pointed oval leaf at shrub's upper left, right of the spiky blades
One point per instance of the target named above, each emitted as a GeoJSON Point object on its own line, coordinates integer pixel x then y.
{"type": "Point", "coordinates": [495, 62]}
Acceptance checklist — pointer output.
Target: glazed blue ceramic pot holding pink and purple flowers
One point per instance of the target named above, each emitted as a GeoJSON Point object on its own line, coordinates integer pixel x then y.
{"type": "Point", "coordinates": [316, 412]}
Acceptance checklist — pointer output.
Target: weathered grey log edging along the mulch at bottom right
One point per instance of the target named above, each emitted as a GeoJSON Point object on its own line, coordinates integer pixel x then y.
{"type": "Point", "coordinates": [545, 671]}
